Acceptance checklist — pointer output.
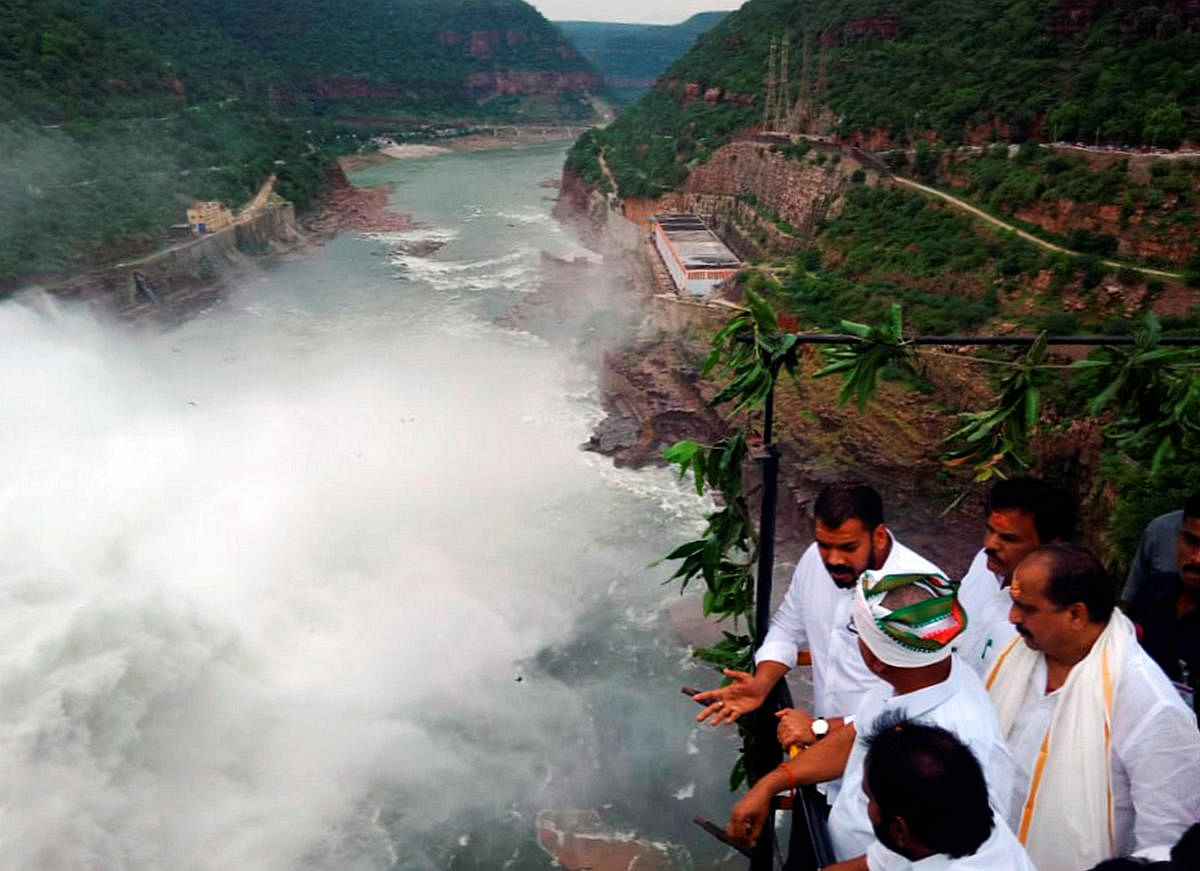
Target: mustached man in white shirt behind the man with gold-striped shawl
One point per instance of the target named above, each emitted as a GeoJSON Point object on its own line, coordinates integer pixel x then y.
{"type": "Point", "coordinates": [1022, 515]}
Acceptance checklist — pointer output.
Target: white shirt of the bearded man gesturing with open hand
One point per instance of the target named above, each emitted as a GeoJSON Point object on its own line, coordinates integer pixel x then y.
{"type": "Point", "coordinates": [817, 612]}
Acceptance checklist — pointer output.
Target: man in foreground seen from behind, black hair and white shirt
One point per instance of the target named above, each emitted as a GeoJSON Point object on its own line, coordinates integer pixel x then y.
{"type": "Point", "coordinates": [928, 804]}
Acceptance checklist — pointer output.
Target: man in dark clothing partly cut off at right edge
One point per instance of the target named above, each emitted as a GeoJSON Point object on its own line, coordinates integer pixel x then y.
{"type": "Point", "coordinates": [1163, 596]}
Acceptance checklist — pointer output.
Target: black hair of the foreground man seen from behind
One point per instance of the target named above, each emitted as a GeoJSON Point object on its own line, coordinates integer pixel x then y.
{"type": "Point", "coordinates": [927, 777]}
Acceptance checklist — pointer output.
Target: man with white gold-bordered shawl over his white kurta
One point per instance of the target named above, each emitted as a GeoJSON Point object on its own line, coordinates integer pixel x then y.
{"type": "Point", "coordinates": [1108, 756]}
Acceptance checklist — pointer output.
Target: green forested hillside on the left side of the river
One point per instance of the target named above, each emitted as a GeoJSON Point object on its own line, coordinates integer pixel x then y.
{"type": "Point", "coordinates": [116, 115]}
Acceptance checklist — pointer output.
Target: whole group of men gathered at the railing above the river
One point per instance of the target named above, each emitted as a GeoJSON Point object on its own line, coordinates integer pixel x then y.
{"type": "Point", "coordinates": [1016, 719]}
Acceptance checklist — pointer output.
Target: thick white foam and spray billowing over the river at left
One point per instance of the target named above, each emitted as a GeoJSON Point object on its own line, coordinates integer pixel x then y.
{"type": "Point", "coordinates": [241, 570]}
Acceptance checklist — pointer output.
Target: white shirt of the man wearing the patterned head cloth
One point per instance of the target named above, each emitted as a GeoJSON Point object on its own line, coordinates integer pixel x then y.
{"type": "Point", "coordinates": [959, 705]}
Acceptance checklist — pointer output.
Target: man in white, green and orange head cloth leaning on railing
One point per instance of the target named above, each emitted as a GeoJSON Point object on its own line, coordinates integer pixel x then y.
{"type": "Point", "coordinates": [905, 624]}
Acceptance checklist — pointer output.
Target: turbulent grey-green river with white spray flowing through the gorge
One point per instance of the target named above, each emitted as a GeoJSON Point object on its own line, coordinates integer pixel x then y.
{"type": "Point", "coordinates": [321, 578]}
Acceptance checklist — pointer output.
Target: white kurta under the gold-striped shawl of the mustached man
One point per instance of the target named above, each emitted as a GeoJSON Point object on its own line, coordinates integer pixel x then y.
{"type": "Point", "coordinates": [1155, 752]}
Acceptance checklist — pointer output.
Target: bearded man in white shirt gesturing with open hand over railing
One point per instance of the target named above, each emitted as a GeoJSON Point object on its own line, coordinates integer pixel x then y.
{"type": "Point", "coordinates": [850, 538]}
